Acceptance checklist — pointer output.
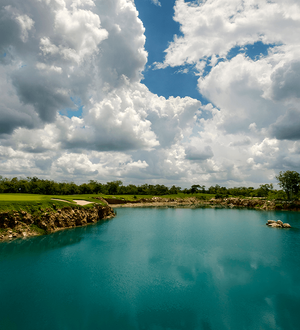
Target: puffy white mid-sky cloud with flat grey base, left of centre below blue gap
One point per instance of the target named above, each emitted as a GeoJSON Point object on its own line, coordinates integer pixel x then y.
{"type": "Point", "coordinates": [112, 124]}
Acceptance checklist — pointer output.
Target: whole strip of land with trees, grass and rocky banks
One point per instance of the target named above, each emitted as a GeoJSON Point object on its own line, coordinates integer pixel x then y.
{"type": "Point", "coordinates": [30, 207]}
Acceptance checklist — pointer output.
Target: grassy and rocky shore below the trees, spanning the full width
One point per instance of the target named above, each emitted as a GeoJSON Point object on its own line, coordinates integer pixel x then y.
{"type": "Point", "coordinates": [24, 215]}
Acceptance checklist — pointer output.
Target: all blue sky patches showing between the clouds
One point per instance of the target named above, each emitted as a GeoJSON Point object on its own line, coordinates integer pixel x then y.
{"type": "Point", "coordinates": [170, 81]}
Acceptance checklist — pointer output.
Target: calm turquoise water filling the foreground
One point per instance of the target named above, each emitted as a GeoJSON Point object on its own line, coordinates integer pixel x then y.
{"type": "Point", "coordinates": [158, 269]}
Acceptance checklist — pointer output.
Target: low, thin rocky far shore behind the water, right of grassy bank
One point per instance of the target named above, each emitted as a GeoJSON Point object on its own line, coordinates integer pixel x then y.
{"type": "Point", "coordinates": [256, 203]}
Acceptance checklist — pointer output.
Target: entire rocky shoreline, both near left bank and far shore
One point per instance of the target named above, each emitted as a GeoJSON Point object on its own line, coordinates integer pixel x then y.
{"type": "Point", "coordinates": [21, 224]}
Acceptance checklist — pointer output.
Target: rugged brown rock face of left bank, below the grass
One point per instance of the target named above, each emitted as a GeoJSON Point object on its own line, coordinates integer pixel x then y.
{"type": "Point", "coordinates": [21, 224]}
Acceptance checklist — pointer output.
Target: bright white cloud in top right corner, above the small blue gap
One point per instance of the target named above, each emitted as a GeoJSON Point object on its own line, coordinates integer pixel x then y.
{"type": "Point", "coordinates": [212, 28]}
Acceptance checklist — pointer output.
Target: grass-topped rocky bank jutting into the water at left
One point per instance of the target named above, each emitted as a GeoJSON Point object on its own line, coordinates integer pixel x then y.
{"type": "Point", "coordinates": [25, 215]}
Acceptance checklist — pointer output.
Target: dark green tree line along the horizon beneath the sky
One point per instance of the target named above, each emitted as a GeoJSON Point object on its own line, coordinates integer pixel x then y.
{"type": "Point", "coordinates": [289, 181]}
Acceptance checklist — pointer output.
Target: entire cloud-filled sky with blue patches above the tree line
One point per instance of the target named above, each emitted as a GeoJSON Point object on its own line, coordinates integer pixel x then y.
{"type": "Point", "coordinates": [147, 91]}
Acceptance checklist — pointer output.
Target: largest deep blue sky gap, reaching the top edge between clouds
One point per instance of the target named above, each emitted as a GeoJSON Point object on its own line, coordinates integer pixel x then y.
{"type": "Point", "coordinates": [160, 31]}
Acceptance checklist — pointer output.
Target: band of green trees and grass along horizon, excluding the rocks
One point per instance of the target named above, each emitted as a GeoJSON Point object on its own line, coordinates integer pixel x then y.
{"type": "Point", "coordinates": [31, 188]}
